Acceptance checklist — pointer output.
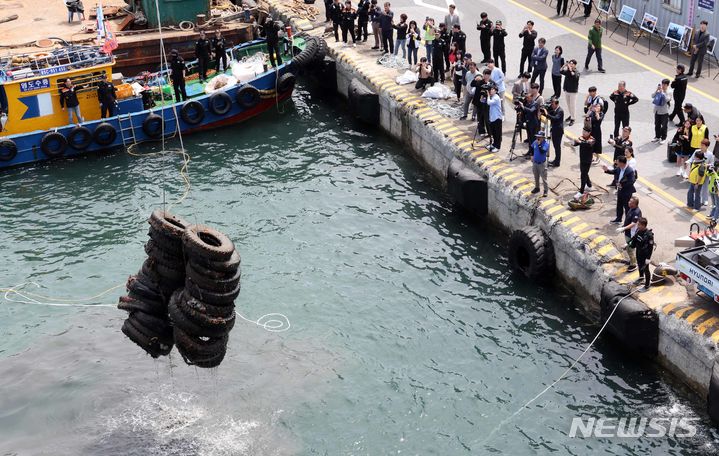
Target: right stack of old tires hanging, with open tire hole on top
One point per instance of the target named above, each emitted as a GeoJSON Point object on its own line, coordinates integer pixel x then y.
{"type": "Point", "coordinates": [203, 312]}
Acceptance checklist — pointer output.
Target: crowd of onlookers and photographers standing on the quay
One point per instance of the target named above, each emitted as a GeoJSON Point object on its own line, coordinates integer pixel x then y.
{"type": "Point", "coordinates": [480, 82]}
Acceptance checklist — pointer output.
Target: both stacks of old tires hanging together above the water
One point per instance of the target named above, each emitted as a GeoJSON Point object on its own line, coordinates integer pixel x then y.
{"type": "Point", "coordinates": [184, 293]}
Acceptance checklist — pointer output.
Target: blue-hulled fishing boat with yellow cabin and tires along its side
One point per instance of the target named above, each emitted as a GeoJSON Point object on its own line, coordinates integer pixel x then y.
{"type": "Point", "coordinates": [35, 127]}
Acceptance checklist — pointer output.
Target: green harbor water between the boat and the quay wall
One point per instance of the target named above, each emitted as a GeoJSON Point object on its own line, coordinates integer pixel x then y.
{"type": "Point", "coordinates": [407, 333]}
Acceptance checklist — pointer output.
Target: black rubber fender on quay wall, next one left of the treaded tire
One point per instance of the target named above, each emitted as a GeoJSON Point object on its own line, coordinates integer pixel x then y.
{"type": "Point", "coordinates": [467, 189]}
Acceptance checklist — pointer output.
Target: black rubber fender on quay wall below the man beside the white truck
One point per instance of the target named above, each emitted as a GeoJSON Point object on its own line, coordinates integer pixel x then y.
{"type": "Point", "coordinates": [633, 324]}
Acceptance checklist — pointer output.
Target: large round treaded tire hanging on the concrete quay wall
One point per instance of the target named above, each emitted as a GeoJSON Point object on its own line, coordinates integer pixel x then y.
{"type": "Point", "coordinates": [531, 253]}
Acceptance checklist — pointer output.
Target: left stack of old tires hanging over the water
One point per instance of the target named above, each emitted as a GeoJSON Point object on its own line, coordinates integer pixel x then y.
{"type": "Point", "coordinates": [149, 291]}
